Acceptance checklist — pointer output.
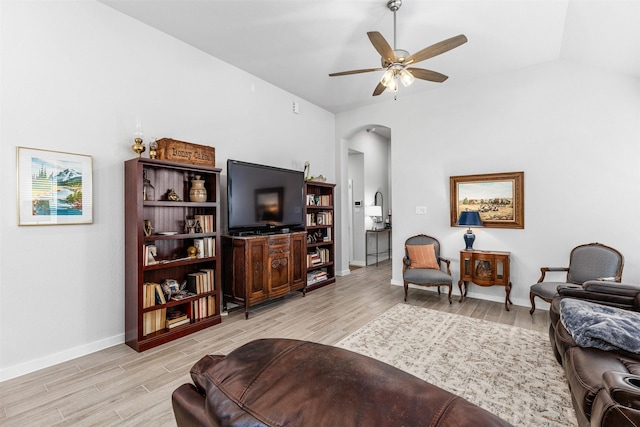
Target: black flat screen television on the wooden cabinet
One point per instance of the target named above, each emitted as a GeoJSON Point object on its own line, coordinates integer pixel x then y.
{"type": "Point", "coordinates": [263, 198]}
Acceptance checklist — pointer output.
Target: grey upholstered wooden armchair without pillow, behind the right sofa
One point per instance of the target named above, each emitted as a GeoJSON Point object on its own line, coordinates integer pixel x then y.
{"type": "Point", "coordinates": [593, 261]}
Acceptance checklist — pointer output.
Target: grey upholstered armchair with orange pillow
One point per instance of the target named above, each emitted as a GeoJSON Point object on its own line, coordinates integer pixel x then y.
{"type": "Point", "coordinates": [423, 266]}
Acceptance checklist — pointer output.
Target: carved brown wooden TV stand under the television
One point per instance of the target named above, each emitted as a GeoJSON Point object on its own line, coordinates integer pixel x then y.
{"type": "Point", "coordinates": [261, 268]}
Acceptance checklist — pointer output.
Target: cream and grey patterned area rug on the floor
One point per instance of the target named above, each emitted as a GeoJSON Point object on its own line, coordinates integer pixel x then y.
{"type": "Point", "coordinates": [504, 369]}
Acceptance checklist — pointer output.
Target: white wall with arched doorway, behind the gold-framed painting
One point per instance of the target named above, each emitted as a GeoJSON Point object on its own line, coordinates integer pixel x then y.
{"type": "Point", "coordinates": [574, 131]}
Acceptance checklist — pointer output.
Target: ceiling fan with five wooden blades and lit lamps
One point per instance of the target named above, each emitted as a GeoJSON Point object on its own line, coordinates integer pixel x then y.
{"type": "Point", "coordinates": [397, 63]}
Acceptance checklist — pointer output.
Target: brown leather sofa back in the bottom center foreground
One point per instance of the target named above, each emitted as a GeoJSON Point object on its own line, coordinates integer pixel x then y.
{"type": "Point", "coordinates": [282, 382]}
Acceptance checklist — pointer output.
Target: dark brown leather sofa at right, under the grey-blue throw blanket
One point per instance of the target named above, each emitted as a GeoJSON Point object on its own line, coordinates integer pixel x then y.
{"type": "Point", "coordinates": [604, 385]}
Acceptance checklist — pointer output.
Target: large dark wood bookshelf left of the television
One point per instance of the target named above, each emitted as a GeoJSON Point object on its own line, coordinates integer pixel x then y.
{"type": "Point", "coordinates": [173, 262]}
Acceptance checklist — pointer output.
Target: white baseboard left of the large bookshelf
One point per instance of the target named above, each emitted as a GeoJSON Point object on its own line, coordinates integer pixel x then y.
{"type": "Point", "coordinates": [63, 356]}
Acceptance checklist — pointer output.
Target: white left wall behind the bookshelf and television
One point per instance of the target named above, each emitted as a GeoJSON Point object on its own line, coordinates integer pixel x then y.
{"type": "Point", "coordinates": [74, 76]}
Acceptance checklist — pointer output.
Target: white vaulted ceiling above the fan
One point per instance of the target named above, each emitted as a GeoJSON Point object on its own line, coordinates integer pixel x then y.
{"type": "Point", "coordinates": [295, 44]}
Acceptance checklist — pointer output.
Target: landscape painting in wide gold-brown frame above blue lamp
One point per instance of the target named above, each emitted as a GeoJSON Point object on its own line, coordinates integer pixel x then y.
{"type": "Point", "coordinates": [498, 198]}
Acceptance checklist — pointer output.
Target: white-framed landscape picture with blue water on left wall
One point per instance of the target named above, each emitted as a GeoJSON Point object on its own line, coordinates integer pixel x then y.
{"type": "Point", "coordinates": [54, 188]}
